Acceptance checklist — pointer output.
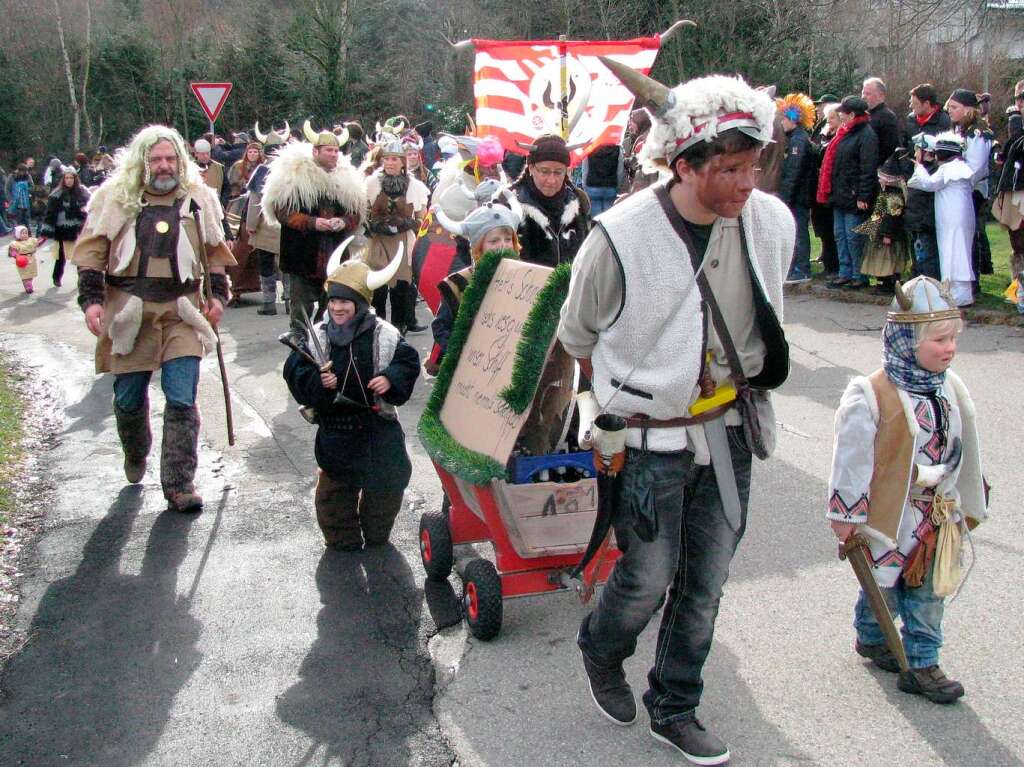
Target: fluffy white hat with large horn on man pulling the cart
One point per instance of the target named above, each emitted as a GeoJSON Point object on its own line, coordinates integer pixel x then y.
{"type": "Point", "coordinates": [696, 111]}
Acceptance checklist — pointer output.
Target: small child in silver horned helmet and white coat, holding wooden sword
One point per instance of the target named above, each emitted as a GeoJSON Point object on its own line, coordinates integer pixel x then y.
{"type": "Point", "coordinates": [907, 475]}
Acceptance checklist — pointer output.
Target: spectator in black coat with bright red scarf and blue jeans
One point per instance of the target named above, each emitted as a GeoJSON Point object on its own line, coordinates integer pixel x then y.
{"type": "Point", "coordinates": [850, 167]}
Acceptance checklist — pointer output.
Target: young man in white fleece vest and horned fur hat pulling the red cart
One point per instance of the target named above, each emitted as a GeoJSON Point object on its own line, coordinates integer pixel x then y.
{"type": "Point", "coordinates": [674, 313]}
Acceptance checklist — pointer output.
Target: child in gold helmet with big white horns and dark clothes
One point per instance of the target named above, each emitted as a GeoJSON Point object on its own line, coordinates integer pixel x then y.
{"type": "Point", "coordinates": [368, 371]}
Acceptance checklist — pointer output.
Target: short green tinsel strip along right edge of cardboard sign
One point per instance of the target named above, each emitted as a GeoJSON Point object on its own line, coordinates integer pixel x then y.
{"type": "Point", "coordinates": [532, 354]}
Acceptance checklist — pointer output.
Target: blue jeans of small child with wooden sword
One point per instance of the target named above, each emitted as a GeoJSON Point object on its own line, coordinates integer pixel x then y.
{"type": "Point", "coordinates": [921, 614]}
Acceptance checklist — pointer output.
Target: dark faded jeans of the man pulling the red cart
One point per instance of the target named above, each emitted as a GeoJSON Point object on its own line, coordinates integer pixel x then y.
{"type": "Point", "coordinates": [690, 557]}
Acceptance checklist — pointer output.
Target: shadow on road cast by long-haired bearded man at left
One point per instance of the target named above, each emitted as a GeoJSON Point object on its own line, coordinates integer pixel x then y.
{"type": "Point", "coordinates": [110, 652]}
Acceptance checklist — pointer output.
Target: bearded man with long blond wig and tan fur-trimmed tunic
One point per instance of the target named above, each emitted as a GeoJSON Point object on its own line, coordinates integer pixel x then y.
{"type": "Point", "coordinates": [140, 278]}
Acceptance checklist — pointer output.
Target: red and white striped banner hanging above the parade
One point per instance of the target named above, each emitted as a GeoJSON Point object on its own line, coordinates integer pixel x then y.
{"type": "Point", "coordinates": [518, 88]}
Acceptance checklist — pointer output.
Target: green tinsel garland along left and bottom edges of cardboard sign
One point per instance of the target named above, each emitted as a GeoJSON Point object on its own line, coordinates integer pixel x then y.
{"type": "Point", "coordinates": [468, 465]}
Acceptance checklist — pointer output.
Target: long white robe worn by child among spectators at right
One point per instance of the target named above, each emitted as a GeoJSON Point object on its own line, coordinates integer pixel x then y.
{"type": "Point", "coordinates": [953, 185]}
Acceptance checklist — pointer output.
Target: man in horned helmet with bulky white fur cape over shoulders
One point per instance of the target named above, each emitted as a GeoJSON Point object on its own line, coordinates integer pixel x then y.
{"type": "Point", "coordinates": [319, 199]}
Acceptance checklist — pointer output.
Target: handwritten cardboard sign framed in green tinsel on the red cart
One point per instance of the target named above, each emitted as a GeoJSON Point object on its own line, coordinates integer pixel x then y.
{"type": "Point", "coordinates": [474, 413]}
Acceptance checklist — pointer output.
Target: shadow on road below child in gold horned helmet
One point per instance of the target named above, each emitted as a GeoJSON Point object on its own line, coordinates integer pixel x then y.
{"type": "Point", "coordinates": [366, 686]}
